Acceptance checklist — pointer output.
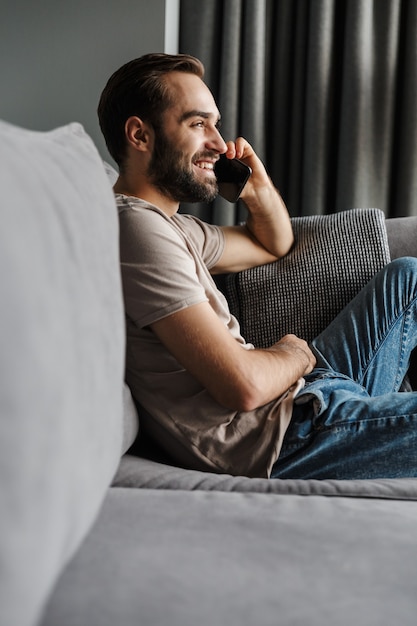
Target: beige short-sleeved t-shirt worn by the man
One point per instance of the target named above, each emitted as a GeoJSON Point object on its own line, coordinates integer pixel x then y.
{"type": "Point", "coordinates": [165, 265]}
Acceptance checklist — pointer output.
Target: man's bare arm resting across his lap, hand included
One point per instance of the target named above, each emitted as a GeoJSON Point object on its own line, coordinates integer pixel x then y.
{"type": "Point", "coordinates": [238, 378]}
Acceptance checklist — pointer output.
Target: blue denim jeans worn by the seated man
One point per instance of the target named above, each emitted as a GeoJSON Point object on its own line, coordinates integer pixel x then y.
{"type": "Point", "coordinates": [351, 420]}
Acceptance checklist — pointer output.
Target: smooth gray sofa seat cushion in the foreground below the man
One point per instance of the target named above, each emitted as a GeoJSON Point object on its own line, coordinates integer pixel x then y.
{"type": "Point", "coordinates": [182, 558]}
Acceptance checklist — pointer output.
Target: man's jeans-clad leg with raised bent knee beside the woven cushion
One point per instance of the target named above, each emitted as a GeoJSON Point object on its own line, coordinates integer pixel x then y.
{"type": "Point", "coordinates": [372, 338]}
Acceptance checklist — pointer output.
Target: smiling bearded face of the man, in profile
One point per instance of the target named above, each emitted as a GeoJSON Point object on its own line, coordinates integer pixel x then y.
{"type": "Point", "coordinates": [188, 143]}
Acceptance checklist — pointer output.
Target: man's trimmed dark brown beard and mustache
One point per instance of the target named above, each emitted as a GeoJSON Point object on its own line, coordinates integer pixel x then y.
{"type": "Point", "coordinates": [170, 172]}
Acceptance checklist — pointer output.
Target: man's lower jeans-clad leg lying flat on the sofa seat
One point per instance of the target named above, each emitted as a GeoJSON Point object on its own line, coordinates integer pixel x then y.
{"type": "Point", "coordinates": [352, 436]}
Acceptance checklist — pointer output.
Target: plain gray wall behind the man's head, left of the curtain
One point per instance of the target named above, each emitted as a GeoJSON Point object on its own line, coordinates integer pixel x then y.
{"type": "Point", "coordinates": [56, 55]}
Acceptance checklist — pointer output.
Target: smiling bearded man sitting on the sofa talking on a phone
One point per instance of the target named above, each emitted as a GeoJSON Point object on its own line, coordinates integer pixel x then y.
{"type": "Point", "coordinates": [211, 400]}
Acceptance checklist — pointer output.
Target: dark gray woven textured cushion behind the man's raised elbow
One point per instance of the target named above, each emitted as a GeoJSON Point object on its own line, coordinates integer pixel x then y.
{"type": "Point", "coordinates": [333, 258]}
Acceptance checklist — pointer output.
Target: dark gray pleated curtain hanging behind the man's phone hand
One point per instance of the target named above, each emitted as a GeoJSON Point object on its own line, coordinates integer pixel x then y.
{"type": "Point", "coordinates": [326, 92]}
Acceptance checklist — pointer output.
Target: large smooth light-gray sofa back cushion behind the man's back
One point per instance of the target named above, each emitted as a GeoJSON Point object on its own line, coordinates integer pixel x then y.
{"type": "Point", "coordinates": [61, 356]}
